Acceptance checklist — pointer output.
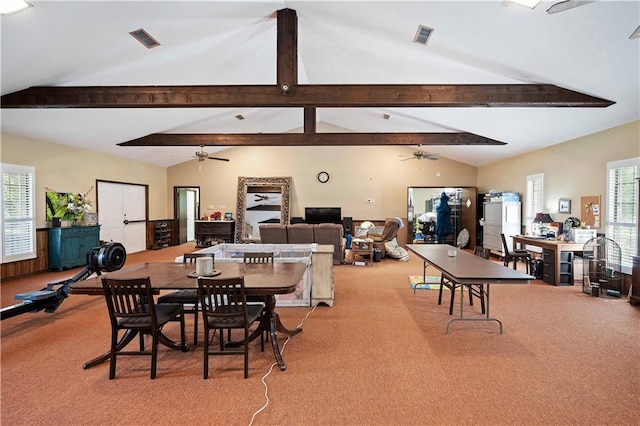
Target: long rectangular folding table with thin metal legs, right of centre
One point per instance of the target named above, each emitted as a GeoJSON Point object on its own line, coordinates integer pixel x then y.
{"type": "Point", "coordinates": [465, 268]}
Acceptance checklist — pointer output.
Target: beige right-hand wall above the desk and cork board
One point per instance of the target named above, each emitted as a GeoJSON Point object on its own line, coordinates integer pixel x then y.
{"type": "Point", "coordinates": [571, 170]}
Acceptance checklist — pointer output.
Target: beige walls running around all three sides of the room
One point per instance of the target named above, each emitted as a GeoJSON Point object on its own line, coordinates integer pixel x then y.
{"type": "Point", "coordinates": [572, 169]}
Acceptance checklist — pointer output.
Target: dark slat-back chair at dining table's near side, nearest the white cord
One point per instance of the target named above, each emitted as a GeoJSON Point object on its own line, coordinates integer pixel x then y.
{"type": "Point", "coordinates": [224, 307]}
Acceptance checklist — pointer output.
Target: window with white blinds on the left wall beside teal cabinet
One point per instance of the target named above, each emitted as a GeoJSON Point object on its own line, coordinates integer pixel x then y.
{"type": "Point", "coordinates": [17, 222]}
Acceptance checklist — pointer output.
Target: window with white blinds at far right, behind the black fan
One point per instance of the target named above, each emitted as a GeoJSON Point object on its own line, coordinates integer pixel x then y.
{"type": "Point", "coordinates": [622, 212]}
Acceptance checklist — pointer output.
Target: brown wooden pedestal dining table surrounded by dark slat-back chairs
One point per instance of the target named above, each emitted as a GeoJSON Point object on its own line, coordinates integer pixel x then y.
{"type": "Point", "coordinates": [266, 280]}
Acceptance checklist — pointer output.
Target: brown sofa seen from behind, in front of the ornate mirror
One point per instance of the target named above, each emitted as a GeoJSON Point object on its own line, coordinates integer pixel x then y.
{"type": "Point", "coordinates": [305, 233]}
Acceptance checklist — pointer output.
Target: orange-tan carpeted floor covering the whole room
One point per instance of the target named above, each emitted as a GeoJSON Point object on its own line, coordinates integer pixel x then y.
{"type": "Point", "coordinates": [380, 356]}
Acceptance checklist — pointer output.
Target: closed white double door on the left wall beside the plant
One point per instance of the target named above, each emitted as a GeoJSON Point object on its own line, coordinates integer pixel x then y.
{"type": "Point", "coordinates": [122, 215]}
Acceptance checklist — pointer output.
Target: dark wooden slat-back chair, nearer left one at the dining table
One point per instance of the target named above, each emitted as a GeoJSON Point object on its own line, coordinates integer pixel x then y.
{"type": "Point", "coordinates": [132, 309]}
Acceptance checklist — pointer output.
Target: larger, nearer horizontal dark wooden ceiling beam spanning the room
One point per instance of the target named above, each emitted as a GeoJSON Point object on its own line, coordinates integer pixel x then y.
{"type": "Point", "coordinates": [316, 95]}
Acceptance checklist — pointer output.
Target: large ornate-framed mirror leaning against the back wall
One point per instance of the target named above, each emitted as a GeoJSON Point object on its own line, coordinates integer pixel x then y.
{"type": "Point", "coordinates": [261, 200]}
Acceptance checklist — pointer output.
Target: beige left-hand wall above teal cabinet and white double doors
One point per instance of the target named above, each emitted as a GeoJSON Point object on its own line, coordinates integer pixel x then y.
{"type": "Point", "coordinates": [66, 169]}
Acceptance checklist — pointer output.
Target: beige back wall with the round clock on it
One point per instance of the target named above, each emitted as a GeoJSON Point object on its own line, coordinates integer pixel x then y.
{"type": "Point", "coordinates": [357, 173]}
